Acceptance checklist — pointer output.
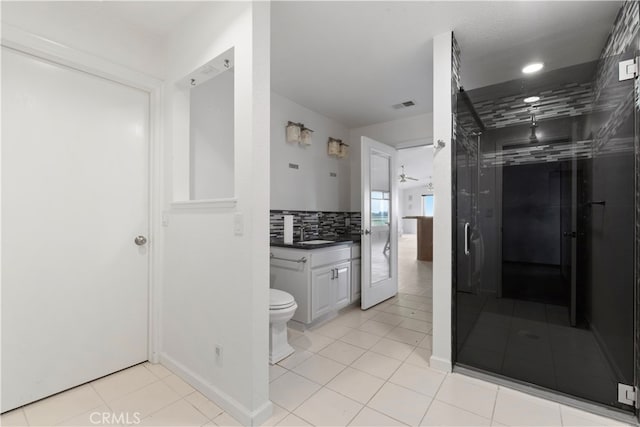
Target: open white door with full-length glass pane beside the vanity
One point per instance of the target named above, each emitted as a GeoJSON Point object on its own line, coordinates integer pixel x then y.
{"type": "Point", "coordinates": [379, 223]}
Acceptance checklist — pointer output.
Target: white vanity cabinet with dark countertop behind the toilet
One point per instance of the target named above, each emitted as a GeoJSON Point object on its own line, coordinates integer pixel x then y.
{"type": "Point", "coordinates": [318, 279]}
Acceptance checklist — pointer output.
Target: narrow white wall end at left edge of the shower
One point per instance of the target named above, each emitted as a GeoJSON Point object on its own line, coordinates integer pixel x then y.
{"type": "Point", "coordinates": [442, 242]}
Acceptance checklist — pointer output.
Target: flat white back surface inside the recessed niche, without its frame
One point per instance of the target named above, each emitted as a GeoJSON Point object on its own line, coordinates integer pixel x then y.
{"type": "Point", "coordinates": [211, 138]}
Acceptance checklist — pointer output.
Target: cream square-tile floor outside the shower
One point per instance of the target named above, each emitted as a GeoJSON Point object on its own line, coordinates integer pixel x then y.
{"type": "Point", "coordinates": [364, 368]}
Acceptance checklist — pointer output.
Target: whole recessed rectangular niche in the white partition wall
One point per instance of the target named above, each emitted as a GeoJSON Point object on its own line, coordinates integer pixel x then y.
{"type": "Point", "coordinates": [210, 93]}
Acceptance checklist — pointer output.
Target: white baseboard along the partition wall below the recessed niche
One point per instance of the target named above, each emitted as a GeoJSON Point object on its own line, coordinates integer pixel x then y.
{"type": "Point", "coordinates": [222, 399]}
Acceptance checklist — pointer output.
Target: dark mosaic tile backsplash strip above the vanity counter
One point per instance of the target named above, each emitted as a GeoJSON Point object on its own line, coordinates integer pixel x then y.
{"type": "Point", "coordinates": [319, 224]}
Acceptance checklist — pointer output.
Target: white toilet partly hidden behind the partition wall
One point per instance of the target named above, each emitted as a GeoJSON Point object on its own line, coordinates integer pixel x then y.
{"type": "Point", "coordinates": [282, 306]}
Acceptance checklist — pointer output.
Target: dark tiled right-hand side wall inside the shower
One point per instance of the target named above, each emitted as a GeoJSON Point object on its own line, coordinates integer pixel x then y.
{"type": "Point", "coordinates": [615, 326]}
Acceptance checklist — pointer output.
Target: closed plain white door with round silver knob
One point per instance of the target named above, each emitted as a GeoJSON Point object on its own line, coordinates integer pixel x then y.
{"type": "Point", "coordinates": [74, 196]}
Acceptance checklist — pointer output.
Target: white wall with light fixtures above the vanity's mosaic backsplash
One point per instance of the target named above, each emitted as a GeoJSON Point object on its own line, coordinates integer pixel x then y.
{"type": "Point", "coordinates": [310, 187]}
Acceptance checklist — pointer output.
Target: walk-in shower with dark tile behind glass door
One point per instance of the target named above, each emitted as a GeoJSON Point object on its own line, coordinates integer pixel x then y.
{"type": "Point", "coordinates": [546, 235]}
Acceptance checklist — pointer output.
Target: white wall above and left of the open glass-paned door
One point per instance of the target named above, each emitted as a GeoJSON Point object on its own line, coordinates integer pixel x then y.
{"type": "Point", "coordinates": [406, 132]}
